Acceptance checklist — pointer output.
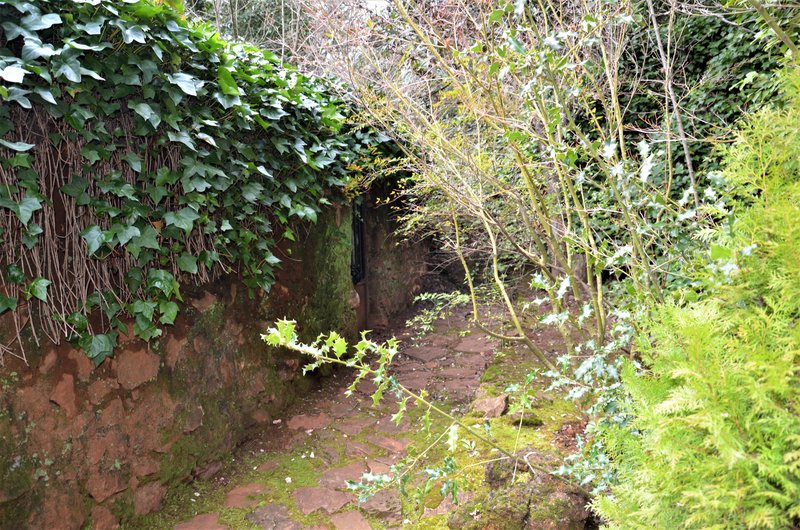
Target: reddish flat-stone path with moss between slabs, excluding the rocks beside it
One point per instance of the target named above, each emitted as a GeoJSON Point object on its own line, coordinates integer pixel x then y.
{"type": "Point", "coordinates": [296, 475]}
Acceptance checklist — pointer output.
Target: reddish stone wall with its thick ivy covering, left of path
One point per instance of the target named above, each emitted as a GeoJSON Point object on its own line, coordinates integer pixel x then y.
{"type": "Point", "coordinates": [164, 194]}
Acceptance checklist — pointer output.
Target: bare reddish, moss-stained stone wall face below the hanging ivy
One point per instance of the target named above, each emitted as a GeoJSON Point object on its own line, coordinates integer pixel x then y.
{"type": "Point", "coordinates": [81, 444]}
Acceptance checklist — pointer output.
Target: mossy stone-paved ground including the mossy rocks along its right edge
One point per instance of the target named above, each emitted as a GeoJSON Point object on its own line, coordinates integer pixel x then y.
{"type": "Point", "coordinates": [295, 475]}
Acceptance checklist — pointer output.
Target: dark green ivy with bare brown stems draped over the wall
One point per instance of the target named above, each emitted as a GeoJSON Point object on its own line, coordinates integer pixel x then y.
{"type": "Point", "coordinates": [139, 151]}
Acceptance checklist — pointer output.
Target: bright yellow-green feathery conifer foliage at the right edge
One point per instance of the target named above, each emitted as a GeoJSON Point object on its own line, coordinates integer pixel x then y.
{"type": "Point", "coordinates": [716, 439]}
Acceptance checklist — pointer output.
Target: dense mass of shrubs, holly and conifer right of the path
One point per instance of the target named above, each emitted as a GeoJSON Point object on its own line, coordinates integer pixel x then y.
{"type": "Point", "coordinates": [574, 148]}
